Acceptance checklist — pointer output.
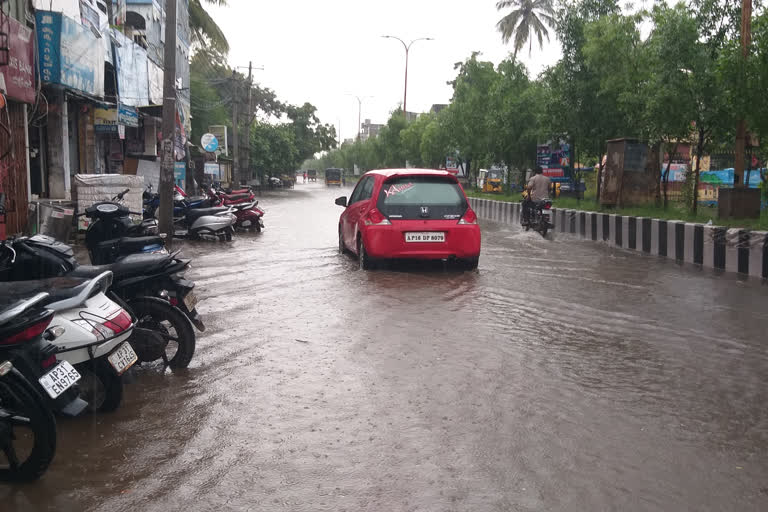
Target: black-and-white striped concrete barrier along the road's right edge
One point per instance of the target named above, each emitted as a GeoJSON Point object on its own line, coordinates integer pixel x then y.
{"type": "Point", "coordinates": [732, 250]}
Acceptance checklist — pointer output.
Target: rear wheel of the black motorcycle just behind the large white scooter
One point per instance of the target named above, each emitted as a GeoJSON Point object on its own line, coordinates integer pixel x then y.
{"type": "Point", "coordinates": [173, 325]}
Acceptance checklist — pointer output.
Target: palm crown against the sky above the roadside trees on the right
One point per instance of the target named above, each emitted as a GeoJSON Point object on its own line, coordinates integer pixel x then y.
{"type": "Point", "coordinates": [528, 17]}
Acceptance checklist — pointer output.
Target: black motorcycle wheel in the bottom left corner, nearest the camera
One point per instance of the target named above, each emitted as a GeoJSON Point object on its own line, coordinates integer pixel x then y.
{"type": "Point", "coordinates": [27, 431]}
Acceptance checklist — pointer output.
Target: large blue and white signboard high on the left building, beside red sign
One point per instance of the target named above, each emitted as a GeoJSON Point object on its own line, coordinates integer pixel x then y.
{"type": "Point", "coordinates": [70, 54]}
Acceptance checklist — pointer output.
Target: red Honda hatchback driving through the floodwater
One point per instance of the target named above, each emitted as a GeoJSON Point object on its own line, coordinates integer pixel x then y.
{"type": "Point", "coordinates": [409, 214]}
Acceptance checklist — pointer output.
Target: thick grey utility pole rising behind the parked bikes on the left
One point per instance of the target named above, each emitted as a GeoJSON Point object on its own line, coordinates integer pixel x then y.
{"type": "Point", "coordinates": [165, 186]}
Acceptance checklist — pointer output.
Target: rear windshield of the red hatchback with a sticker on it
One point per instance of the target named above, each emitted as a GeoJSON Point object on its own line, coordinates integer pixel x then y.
{"type": "Point", "coordinates": [421, 197]}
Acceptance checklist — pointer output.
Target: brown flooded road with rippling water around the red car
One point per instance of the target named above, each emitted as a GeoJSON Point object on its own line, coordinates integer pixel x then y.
{"type": "Point", "coordinates": [562, 376]}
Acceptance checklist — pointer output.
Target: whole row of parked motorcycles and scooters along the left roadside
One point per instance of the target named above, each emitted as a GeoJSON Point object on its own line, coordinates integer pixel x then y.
{"type": "Point", "coordinates": [69, 332]}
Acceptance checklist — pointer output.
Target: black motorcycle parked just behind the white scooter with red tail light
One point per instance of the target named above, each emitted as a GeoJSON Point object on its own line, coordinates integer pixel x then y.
{"type": "Point", "coordinates": [151, 286]}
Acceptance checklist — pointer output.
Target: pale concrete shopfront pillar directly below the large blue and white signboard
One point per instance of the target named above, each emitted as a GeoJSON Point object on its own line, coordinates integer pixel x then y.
{"type": "Point", "coordinates": [59, 185]}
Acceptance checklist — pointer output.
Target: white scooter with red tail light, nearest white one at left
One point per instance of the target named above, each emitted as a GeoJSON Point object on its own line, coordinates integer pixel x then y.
{"type": "Point", "coordinates": [90, 332]}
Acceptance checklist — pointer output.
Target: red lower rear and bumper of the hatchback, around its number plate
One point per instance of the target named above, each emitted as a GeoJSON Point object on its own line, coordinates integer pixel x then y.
{"type": "Point", "coordinates": [388, 242]}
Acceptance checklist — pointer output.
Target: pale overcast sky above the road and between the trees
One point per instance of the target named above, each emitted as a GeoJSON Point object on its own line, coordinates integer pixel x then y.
{"type": "Point", "coordinates": [318, 51]}
